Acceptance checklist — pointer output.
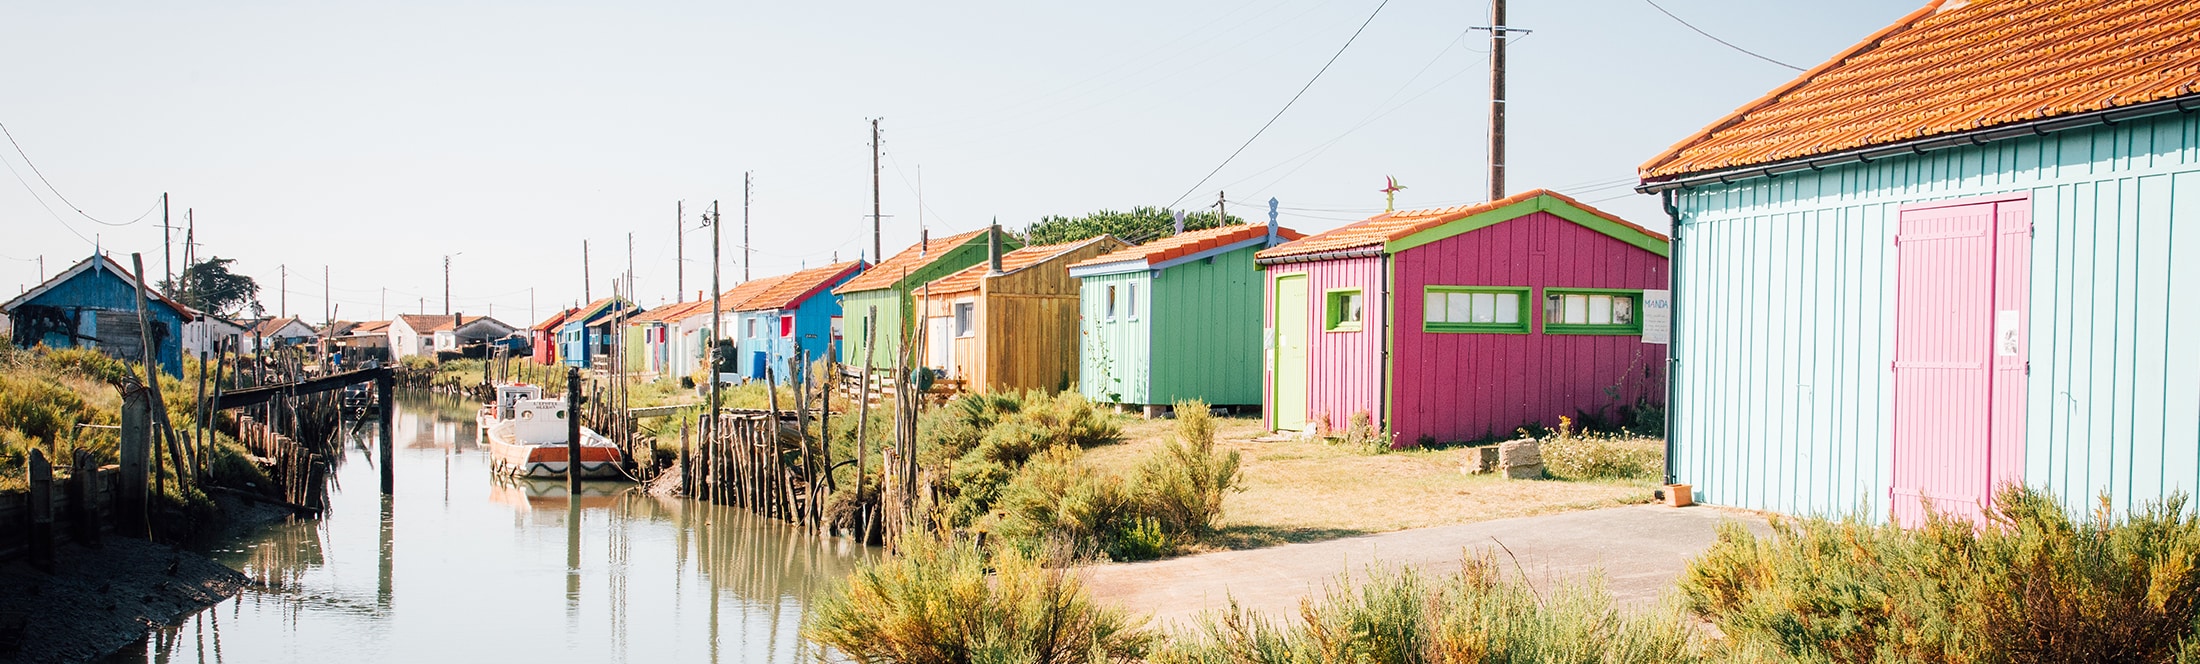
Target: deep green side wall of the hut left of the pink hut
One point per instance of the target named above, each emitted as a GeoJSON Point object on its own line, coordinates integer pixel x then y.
{"type": "Point", "coordinates": [1209, 331]}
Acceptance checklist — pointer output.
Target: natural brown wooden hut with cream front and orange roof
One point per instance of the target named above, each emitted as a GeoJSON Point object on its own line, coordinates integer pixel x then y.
{"type": "Point", "coordinates": [1009, 322]}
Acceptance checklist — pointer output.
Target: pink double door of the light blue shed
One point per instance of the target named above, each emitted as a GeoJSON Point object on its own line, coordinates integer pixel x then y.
{"type": "Point", "coordinates": [1959, 355]}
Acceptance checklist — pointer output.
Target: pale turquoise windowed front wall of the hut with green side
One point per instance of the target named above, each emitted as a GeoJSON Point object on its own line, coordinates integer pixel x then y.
{"type": "Point", "coordinates": [1114, 357]}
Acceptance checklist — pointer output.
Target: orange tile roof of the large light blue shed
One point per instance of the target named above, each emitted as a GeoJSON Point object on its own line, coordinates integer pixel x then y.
{"type": "Point", "coordinates": [1952, 69]}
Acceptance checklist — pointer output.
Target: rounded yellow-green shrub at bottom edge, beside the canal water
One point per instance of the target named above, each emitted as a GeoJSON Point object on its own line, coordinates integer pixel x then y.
{"type": "Point", "coordinates": [936, 606]}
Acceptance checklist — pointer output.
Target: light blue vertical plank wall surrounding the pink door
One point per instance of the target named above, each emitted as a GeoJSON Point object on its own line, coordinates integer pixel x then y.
{"type": "Point", "coordinates": [1783, 397]}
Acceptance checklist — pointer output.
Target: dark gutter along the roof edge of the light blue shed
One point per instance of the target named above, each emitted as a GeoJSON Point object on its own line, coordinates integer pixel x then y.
{"type": "Point", "coordinates": [1926, 144]}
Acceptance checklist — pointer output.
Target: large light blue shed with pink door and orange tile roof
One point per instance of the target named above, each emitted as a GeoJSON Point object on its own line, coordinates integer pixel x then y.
{"type": "Point", "coordinates": [1952, 258]}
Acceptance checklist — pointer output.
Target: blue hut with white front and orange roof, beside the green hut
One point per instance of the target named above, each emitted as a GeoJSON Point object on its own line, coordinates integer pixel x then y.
{"type": "Point", "coordinates": [797, 316]}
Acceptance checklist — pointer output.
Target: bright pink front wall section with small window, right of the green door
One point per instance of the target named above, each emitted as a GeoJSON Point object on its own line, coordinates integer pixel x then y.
{"type": "Point", "coordinates": [1343, 368]}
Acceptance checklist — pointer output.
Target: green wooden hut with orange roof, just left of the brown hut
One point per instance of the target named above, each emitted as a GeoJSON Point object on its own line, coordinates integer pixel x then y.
{"type": "Point", "coordinates": [883, 298]}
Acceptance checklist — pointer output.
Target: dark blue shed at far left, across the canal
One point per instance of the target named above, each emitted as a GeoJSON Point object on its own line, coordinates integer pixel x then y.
{"type": "Point", "coordinates": [93, 305]}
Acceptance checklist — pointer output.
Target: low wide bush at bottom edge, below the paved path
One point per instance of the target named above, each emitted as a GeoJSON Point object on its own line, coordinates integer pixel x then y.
{"type": "Point", "coordinates": [1468, 617]}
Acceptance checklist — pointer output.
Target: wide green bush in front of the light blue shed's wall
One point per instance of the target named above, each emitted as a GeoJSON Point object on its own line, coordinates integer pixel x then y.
{"type": "Point", "coordinates": [2029, 586]}
